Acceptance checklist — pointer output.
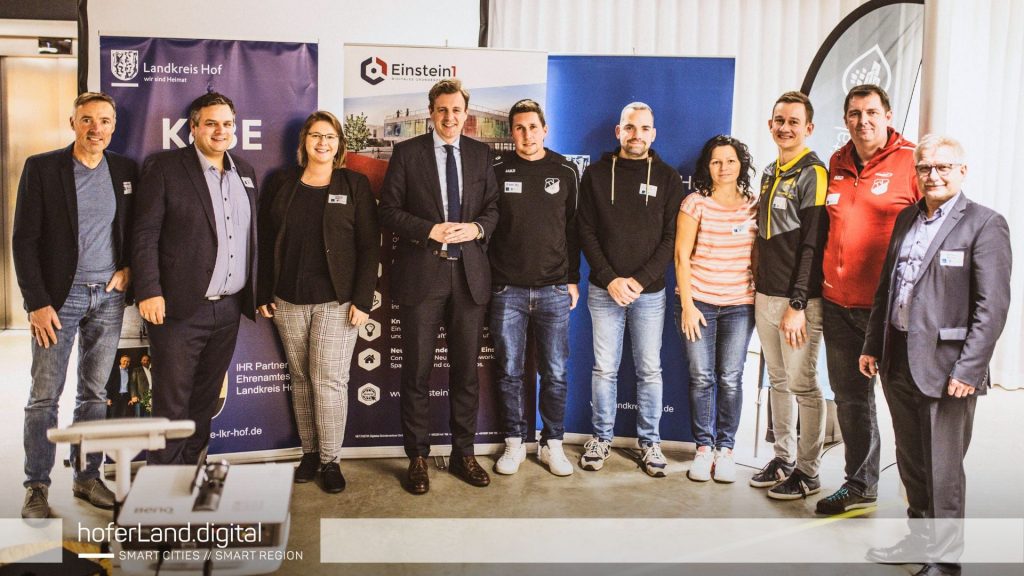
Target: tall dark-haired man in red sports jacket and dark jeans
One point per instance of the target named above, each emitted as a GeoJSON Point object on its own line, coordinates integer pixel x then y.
{"type": "Point", "coordinates": [872, 179]}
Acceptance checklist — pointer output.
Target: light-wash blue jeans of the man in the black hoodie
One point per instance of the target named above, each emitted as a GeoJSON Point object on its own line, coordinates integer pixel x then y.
{"type": "Point", "coordinates": [646, 318]}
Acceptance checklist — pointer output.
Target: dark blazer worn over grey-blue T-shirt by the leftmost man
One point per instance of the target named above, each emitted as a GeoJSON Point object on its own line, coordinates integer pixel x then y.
{"type": "Point", "coordinates": [46, 239]}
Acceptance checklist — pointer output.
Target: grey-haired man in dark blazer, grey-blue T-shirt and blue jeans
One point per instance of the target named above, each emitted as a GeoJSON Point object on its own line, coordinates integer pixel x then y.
{"type": "Point", "coordinates": [71, 248]}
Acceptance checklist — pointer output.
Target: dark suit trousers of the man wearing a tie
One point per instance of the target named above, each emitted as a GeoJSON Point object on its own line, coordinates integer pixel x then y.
{"type": "Point", "coordinates": [446, 300]}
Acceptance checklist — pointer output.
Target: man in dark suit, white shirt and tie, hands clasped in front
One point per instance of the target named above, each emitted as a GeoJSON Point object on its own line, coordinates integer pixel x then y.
{"type": "Point", "coordinates": [441, 197]}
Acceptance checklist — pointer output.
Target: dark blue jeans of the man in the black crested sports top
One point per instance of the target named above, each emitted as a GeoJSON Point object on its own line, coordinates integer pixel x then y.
{"type": "Point", "coordinates": [513, 310]}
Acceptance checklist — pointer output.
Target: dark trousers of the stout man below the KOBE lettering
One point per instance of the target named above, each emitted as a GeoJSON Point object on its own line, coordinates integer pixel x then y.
{"type": "Point", "coordinates": [190, 359]}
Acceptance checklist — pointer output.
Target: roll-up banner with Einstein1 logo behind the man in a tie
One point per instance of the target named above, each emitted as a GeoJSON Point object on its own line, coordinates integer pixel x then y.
{"type": "Point", "coordinates": [387, 103]}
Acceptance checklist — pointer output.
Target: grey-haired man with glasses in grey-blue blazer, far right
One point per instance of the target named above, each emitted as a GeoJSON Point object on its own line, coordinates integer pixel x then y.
{"type": "Point", "coordinates": [941, 307]}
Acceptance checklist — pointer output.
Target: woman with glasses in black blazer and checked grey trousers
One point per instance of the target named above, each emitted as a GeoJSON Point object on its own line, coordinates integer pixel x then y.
{"type": "Point", "coordinates": [319, 253]}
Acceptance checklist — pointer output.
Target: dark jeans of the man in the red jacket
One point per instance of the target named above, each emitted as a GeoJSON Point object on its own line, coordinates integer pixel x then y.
{"type": "Point", "coordinates": [844, 333]}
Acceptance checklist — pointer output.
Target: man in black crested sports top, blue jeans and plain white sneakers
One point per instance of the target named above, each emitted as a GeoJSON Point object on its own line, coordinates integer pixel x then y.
{"type": "Point", "coordinates": [535, 264]}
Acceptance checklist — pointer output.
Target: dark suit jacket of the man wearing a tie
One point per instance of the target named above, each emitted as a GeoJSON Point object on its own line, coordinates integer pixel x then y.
{"type": "Point", "coordinates": [411, 205]}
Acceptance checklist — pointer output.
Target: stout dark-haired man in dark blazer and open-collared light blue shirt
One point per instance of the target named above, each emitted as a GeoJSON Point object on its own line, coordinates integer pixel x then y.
{"type": "Point", "coordinates": [195, 253]}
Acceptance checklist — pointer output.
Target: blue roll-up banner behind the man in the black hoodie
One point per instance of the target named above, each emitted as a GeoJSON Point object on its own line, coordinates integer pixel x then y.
{"type": "Point", "coordinates": [692, 99]}
